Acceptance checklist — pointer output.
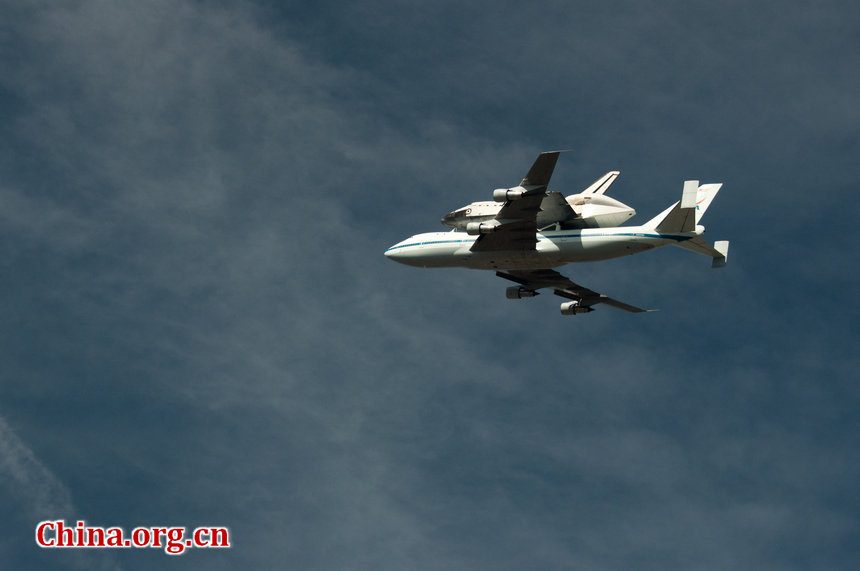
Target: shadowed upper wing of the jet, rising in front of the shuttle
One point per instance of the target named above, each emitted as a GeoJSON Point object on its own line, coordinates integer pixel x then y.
{"type": "Point", "coordinates": [517, 219]}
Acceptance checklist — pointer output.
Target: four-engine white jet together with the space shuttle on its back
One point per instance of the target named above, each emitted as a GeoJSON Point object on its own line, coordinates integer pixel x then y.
{"type": "Point", "coordinates": [532, 231]}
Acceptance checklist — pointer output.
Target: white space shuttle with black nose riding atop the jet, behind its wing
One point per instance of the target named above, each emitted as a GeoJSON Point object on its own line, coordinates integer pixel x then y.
{"type": "Point", "coordinates": [590, 208]}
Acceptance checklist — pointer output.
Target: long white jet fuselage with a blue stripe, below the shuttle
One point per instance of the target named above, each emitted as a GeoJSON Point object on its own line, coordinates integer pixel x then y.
{"type": "Point", "coordinates": [553, 248]}
